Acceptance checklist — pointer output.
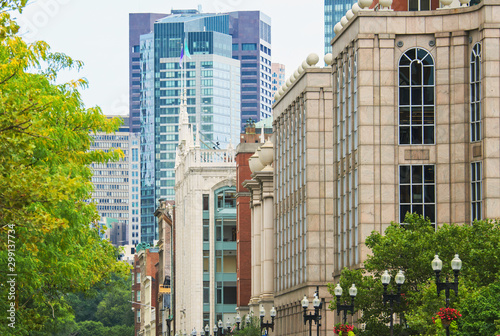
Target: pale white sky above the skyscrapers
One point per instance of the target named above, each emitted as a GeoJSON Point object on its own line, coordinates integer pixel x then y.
{"type": "Point", "coordinates": [96, 32]}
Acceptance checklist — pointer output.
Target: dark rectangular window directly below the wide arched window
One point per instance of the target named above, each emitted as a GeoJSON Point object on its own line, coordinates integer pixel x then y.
{"type": "Point", "coordinates": [417, 189]}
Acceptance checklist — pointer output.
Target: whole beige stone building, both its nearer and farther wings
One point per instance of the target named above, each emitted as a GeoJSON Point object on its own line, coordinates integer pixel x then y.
{"type": "Point", "coordinates": [406, 119]}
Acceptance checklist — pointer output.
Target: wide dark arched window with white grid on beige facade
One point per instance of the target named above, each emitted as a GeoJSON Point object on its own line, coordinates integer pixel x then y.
{"type": "Point", "coordinates": [416, 98]}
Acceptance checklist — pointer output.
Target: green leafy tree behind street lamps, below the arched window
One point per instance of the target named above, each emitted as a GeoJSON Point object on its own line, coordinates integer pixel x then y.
{"type": "Point", "coordinates": [411, 248]}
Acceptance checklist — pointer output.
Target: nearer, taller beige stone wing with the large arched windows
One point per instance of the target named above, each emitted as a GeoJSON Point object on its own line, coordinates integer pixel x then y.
{"type": "Point", "coordinates": [368, 60]}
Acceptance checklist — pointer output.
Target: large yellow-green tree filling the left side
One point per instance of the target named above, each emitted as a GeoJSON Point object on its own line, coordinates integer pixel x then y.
{"type": "Point", "coordinates": [47, 236]}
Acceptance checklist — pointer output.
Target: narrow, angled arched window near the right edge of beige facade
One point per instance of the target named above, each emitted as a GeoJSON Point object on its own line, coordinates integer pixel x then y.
{"type": "Point", "coordinates": [475, 93]}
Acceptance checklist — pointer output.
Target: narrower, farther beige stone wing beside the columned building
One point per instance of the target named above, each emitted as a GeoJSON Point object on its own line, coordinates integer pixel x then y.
{"type": "Point", "coordinates": [303, 199]}
